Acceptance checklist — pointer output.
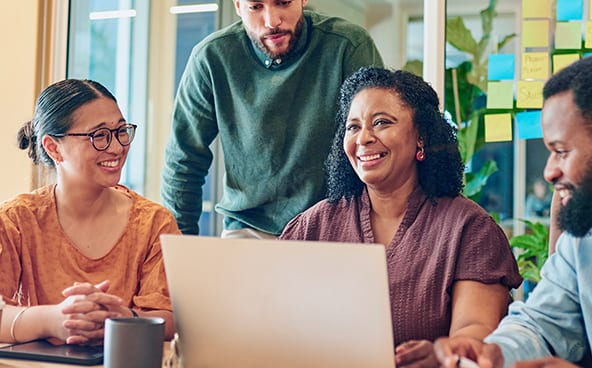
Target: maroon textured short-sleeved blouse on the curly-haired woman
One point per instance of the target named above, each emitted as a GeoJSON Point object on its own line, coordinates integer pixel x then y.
{"type": "Point", "coordinates": [435, 245]}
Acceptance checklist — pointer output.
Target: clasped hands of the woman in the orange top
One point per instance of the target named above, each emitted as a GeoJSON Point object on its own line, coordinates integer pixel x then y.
{"type": "Point", "coordinates": [84, 311]}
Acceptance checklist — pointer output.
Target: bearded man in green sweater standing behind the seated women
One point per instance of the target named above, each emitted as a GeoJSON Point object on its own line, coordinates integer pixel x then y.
{"type": "Point", "coordinates": [268, 86]}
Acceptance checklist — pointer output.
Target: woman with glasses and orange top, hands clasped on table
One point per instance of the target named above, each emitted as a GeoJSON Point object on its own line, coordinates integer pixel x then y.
{"type": "Point", "coordinates": [86, 248]}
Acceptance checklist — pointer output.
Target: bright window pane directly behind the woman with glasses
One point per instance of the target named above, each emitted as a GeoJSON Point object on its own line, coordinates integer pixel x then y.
{"type": "Point", "coordinates": [107, 42]}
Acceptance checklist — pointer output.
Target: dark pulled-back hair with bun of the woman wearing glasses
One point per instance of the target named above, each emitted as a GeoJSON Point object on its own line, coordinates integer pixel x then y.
{"type": "Point", "coordinates": [53, 114]}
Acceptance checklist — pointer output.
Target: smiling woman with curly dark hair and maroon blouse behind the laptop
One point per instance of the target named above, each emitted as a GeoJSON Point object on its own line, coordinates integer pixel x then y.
{"type": "Point", "coordinates": [395, 178]}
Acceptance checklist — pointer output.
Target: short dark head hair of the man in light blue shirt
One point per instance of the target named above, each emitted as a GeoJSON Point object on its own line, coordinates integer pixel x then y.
{"type": "Point", "coordinates": [576, 77]}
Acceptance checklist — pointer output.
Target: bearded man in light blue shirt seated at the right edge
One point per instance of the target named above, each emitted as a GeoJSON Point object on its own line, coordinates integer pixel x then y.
{"type": "Point", "coordinates": [554, 326]}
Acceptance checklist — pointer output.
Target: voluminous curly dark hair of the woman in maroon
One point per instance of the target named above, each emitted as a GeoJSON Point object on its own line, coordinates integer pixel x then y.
{"type": "Point", "coordinates": [440, 174]}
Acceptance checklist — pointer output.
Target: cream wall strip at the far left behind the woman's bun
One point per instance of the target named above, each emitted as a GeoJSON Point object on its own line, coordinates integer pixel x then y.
{"type": "Point", "coordinates": [18, 37]}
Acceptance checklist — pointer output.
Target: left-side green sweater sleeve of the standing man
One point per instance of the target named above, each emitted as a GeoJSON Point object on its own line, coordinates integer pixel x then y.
{"type": "Point", "coordinates": [187, 155]}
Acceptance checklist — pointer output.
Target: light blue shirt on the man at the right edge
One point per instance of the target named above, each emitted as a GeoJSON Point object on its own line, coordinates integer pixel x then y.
{"type": "Point", "coordinates": [557, 318]}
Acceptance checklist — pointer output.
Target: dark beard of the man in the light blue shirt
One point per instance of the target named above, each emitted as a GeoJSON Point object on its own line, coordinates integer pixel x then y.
{"type": "Point", "coordinates": [576, 216]}
